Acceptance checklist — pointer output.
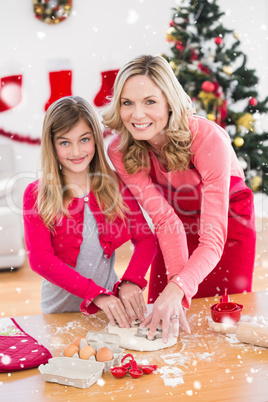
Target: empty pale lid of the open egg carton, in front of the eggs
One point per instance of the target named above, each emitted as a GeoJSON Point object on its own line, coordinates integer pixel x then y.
{"type": "Point", "coordinates": [73, 372]}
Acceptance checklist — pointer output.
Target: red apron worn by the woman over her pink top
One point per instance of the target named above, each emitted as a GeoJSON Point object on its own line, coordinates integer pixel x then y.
{"type": "Point", "coordinates": [235, 268]}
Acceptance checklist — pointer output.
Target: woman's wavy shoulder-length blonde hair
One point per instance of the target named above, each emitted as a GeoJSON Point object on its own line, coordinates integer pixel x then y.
{"type": "Point", "coordinates": [179, 139]}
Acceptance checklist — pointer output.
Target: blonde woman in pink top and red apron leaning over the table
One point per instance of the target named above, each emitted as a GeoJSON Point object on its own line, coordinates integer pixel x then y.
{"type": "Point", "coordinates": [183, 171]}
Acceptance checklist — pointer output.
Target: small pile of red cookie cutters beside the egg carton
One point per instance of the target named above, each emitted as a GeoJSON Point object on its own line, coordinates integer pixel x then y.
{"type": "Point", "coordinates": [131, 367]}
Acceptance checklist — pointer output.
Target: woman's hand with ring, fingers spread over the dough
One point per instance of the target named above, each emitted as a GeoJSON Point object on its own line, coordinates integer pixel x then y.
{"type": "Point", "coordinates": [167, 310]}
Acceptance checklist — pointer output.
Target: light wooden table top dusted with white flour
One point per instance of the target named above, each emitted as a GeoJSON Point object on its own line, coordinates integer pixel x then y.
{"type": "Point", "coordinates": [203, 366]}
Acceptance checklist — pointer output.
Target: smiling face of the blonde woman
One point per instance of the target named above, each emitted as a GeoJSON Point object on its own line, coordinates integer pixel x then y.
{"type": "Point", "coordinates": [144, 110]}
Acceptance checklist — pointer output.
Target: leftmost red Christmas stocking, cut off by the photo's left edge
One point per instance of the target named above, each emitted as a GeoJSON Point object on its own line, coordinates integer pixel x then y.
{"type": "Point", "coordinates": [10, 92]}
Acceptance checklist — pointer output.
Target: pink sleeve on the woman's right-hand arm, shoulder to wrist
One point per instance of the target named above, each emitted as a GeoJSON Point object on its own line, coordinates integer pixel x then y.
{"type": "Point", "coordinates": [212, 158]}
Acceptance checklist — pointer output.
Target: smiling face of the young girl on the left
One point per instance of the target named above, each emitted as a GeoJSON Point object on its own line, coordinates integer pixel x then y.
{"type": "Point", "coordinates": [75, 149]}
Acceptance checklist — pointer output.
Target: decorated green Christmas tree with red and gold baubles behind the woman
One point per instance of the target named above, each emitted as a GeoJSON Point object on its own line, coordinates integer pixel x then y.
{"type": "Point", "coordinates": [213, 71]}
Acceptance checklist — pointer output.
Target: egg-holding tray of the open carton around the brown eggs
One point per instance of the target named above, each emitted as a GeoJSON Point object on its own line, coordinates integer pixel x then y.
{"type": "Point", "coordinates": [98, 340]}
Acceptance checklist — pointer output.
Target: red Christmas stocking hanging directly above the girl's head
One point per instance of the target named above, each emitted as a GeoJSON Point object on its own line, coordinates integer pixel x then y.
{"type": "Point", "coordinates": [60, 85]}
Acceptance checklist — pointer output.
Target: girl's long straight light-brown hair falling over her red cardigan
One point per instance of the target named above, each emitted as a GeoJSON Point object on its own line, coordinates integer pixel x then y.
{"type": "Point", "coordinates": [52, 196]}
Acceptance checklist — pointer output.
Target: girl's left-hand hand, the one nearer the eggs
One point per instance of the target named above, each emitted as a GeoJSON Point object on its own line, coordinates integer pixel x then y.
{"type": "Point", "coordinates": [114, 309]}
